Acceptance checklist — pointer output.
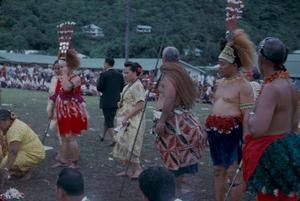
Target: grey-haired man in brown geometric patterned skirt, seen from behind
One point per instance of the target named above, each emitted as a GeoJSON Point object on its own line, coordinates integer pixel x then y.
{"type": "Point", "coordinates": [178, 133]}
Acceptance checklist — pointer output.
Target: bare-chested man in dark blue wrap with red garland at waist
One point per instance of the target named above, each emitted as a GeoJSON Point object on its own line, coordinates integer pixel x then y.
{"type": "Point", "coordinates": [227, 122]}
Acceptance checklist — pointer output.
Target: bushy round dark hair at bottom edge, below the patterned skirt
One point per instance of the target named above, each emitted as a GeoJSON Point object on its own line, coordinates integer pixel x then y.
{"type": "Point", "coordinates": [157, 184]}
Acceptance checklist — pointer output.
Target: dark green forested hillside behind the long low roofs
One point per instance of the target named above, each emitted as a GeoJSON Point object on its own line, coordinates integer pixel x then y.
{"type": "Point", "coordinates": [31, 24]}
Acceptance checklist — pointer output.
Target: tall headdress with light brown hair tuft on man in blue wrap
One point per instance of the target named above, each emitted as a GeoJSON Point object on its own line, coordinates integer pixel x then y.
{"type": "Point", "coordinates": [238, 48]}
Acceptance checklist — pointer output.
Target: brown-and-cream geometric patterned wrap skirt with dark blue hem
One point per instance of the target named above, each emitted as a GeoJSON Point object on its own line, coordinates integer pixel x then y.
{"type": "Point", "coordinates": [180, 147]}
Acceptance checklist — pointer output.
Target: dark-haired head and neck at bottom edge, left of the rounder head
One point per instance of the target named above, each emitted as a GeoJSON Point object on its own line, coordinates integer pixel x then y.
{"type": "Point", "coordinates": [70, 185]}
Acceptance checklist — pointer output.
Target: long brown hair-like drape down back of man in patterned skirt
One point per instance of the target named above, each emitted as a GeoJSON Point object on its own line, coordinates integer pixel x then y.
{"type": "Point", "coordinates": [185, 89]}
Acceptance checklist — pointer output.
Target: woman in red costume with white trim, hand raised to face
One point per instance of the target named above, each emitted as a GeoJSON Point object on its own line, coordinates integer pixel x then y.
{"type": "Point", "coordinates": [70, 110]}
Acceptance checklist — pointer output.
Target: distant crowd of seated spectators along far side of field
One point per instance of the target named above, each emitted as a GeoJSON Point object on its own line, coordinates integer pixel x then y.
{"type": "Point", "coordinates": [36, 77]}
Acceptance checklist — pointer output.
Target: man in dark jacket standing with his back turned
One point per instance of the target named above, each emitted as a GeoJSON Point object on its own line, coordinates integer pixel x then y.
{"type": "Point", "coordinates": [110, 84]}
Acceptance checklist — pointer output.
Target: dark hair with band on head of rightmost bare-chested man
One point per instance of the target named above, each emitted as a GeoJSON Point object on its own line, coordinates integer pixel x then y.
{"type": "Point", "coordinates": [274, 50]}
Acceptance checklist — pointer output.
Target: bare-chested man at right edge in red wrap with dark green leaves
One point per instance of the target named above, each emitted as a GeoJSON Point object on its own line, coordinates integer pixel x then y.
{"type": "Point", "coordinates": [271, 153]}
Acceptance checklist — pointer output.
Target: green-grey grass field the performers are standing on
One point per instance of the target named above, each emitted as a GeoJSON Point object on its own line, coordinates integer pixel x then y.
{"type": "Point", "coordinates": [96, 163]}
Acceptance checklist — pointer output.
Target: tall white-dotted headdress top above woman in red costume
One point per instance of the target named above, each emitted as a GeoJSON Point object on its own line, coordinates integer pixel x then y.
{"type": "Point", "coordinates": [65, 31]}
